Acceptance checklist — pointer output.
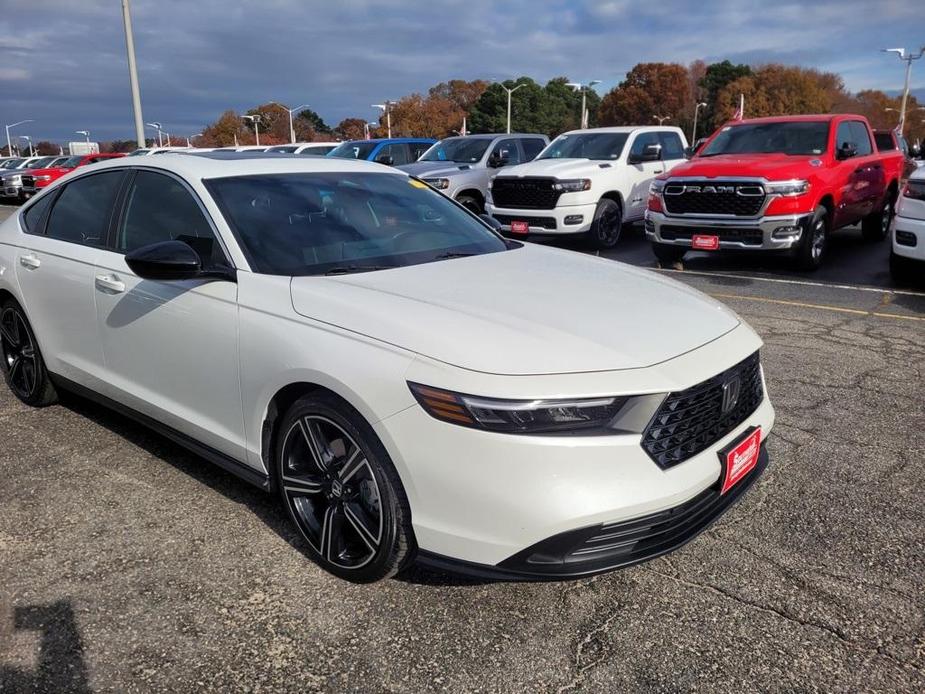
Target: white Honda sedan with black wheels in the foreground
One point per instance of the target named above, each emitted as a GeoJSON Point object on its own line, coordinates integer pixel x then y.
{"type": "Point", "coordinates": [411, 384]}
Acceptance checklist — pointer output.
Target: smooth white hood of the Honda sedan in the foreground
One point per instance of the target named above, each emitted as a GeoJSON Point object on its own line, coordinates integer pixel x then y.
{"type": "Point", "coordinates": [530, 310]}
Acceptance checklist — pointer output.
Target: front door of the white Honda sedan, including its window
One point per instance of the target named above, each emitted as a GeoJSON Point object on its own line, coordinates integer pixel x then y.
{"type": "Point", "coordinates": [171, 347]}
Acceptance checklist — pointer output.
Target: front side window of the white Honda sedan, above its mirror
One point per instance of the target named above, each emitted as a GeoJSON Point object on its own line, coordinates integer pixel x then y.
{"type": "Point", "coordinates": [158, 208]}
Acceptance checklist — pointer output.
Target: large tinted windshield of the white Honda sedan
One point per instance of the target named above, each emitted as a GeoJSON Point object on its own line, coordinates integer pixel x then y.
{"type": "Point", "coordinates": [339, 223]}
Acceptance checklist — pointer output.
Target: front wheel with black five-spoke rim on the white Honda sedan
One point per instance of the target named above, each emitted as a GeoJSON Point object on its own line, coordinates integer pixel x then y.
{"type": "Point", "coordinates": [341, 490]}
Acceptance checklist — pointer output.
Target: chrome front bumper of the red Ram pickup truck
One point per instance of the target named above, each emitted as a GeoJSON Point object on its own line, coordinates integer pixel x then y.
{"type": "Point", "coordinates": [762, 234]}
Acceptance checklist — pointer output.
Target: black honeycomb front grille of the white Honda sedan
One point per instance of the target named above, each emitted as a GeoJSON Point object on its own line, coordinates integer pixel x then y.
{"type": "Point", "coordinates": [690, 421]}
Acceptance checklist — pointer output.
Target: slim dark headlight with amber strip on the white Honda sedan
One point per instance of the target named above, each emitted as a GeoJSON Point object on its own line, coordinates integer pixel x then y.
{"type": "Point", "coordinates": [520, 416]}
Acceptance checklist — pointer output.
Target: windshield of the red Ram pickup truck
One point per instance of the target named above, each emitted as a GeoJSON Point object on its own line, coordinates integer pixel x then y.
{"type": "Point", "coordinates": [792, 138]}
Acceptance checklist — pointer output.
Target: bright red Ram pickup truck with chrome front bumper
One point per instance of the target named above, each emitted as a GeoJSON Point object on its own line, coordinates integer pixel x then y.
{"type": "Point", "coordinates": [775, 184]}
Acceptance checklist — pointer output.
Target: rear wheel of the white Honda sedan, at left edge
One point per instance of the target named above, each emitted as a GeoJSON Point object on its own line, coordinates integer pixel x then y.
{"type": "Point", "coordinates": [22, 363]}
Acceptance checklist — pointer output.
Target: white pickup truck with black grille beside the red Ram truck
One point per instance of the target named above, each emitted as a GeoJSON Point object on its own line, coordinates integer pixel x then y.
{"type": "Point", "coordinates": [586, 182]}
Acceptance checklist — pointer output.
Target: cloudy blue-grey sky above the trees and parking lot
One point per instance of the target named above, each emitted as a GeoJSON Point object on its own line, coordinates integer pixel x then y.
{"type": "Point", "coordinates": [62, 62]}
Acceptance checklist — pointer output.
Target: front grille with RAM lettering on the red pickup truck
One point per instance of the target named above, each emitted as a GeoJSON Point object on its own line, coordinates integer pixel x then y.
{"type": "Point", "coordinates": [714, 197]}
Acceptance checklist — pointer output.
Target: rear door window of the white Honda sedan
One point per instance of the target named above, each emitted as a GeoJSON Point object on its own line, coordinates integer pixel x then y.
{"type": "Point", "coordinates": [82, 211]}
